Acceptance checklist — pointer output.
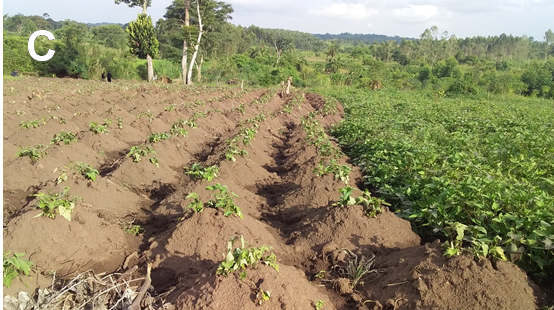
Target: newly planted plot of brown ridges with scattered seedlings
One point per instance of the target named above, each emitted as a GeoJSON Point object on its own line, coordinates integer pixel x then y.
{"type": "Point", "coordinates": [210, 197]}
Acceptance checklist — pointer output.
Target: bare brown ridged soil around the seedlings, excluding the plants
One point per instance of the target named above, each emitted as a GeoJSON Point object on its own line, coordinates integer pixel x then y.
{"type": "Point", "coordinates": [285, 206]}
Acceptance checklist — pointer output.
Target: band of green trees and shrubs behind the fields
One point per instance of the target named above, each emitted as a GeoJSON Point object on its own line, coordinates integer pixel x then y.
{"type": "Point", "coordinates": [195, 39]}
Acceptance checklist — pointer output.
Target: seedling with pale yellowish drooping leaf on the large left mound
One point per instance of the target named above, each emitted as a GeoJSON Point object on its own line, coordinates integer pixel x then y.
{"type": "Point", "coordinates": [61, 203]}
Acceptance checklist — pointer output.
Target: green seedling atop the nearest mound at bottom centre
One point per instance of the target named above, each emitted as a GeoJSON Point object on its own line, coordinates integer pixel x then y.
{"type": "Point", "coordinates": [240, 258]}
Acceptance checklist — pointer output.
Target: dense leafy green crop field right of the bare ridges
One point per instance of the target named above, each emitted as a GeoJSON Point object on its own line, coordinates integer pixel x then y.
{"type": "Point", "coordinates": [487, 164]}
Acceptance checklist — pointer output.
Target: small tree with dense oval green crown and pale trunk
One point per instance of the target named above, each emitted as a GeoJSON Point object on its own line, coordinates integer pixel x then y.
{"type": "Point", "coordinates": [142, 40]}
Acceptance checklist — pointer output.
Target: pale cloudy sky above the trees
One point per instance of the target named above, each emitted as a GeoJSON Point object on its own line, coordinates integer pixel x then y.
{"type": "Point", "coordinates": [406, 18]}
